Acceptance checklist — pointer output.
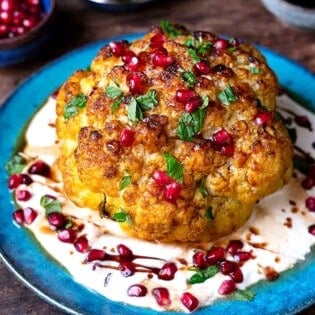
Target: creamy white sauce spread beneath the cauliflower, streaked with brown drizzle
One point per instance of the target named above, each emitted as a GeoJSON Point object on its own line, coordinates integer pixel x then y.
{"type": "Point", "coordinates": [276, 235]}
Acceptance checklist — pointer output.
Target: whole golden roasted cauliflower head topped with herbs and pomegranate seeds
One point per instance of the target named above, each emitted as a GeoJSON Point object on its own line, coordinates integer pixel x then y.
{"type": "Point", "coordinates": [174, 135]}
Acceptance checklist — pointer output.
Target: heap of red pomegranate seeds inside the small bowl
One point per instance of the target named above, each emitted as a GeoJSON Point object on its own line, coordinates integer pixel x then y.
{"type": "Point", "coordinates": [17, 17]}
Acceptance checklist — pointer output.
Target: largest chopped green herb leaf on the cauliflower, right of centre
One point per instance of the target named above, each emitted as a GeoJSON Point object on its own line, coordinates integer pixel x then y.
{"type": "Point", "coordinates": [190, 124]}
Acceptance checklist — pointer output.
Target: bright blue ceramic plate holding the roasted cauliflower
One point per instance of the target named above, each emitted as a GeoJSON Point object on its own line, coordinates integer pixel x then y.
{"type": "Point", "coordinates": [294, 290]}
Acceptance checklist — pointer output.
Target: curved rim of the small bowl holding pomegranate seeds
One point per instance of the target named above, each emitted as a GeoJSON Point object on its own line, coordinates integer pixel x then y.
{"type": "Point", "coordinates": [17, 40]}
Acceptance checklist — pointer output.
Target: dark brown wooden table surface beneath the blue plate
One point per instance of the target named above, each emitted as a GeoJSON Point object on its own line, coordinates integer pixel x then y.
{"type": "Point", "coordinates": [79, 24]}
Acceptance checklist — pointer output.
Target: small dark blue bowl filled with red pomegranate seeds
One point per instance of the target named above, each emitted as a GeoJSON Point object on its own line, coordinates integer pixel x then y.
{"type": "Point", "coordinates": [25, 26]}
